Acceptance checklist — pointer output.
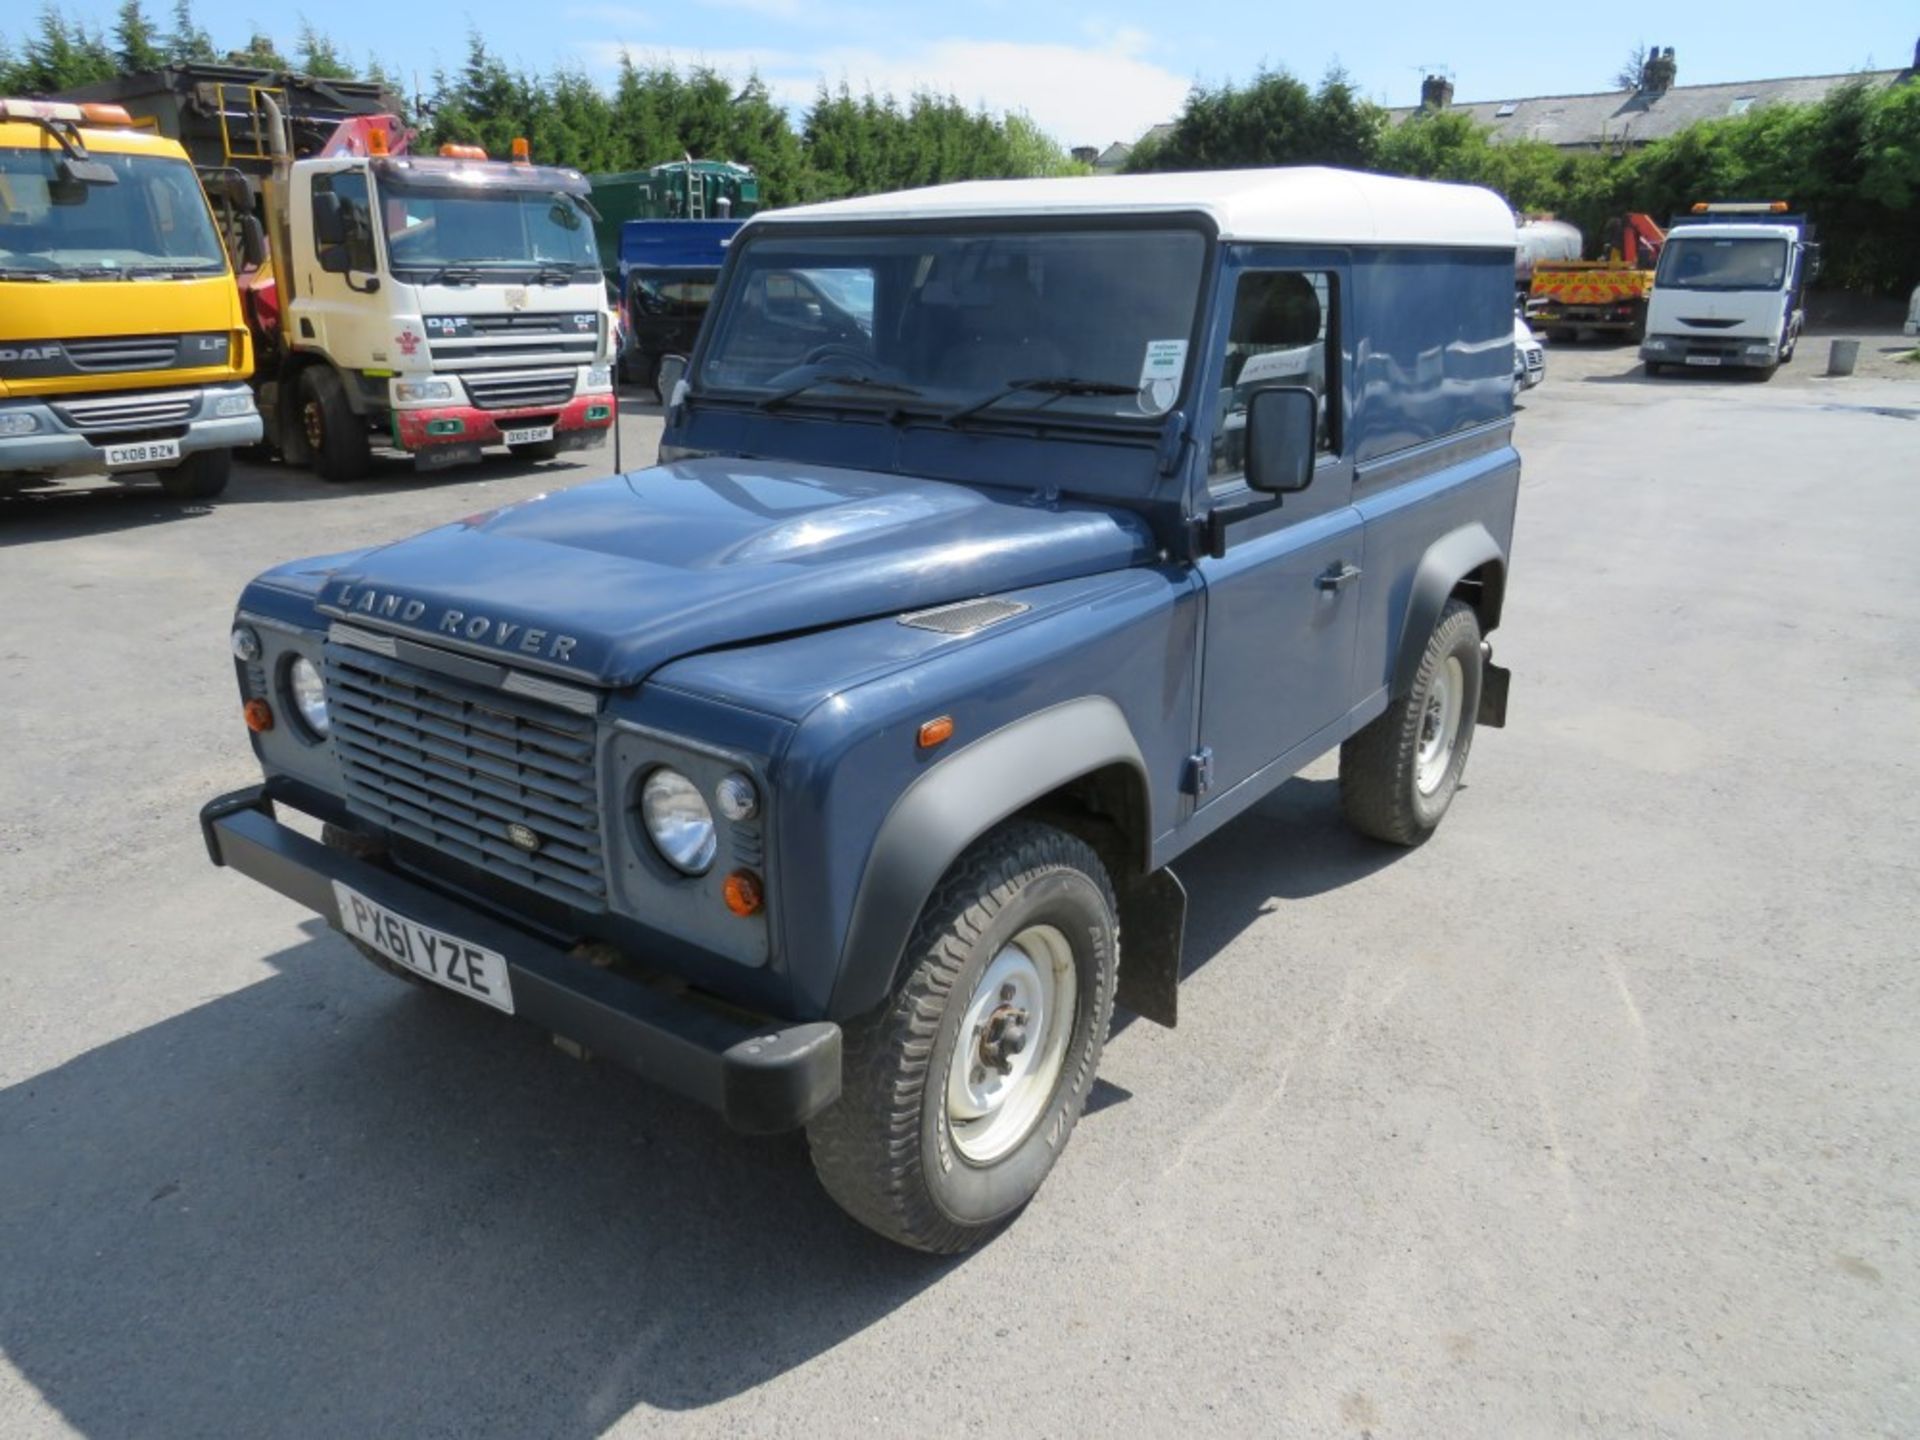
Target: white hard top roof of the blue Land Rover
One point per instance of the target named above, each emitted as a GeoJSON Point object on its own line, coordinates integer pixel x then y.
{"type": "Point", "coordinates": [1301, 206]}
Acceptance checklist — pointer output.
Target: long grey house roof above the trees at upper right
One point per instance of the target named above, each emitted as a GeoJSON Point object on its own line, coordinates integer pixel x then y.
{"type": "Point", "coordinates": [1641, 116]}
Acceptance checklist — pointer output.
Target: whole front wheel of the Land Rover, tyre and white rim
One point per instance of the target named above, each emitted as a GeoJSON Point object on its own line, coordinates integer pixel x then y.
{"type": "Point", "coordinates": [963, 1090]}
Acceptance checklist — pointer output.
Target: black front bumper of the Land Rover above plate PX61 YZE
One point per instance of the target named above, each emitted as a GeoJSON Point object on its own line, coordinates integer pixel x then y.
{"type": "Point", "coordinates": [759, 1078]}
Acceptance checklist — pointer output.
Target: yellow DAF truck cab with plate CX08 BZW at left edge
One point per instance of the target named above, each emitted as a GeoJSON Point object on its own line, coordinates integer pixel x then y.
{"type": "Point", "coordinates": [124, 348]}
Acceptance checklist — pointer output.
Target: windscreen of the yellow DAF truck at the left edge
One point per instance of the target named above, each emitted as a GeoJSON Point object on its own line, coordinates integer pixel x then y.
{"type": "Point", "coordinates": [153, 224]}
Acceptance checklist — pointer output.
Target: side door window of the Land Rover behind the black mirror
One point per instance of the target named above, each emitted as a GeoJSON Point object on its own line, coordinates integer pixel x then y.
{"type": "Point", "coordinates": [1282, 335]}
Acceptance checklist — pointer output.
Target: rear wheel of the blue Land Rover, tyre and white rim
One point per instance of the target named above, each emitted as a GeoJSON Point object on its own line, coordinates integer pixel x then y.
{"type": "Point", "coordinates": [1401, 773]}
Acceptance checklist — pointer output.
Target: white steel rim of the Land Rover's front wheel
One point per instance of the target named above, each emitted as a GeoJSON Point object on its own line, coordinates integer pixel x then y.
{"type": "Point", "coordinates": [996, 1095]}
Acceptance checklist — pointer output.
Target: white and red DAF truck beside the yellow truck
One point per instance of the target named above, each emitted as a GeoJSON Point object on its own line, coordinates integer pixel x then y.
{"type": "Point", "coordinates": [433, 304]}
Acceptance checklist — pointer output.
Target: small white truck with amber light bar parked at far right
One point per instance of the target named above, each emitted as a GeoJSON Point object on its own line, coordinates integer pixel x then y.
{"type": "Point", "coordinates": [1729, 289]}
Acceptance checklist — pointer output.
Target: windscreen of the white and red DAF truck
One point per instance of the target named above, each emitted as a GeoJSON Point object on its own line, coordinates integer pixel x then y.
{"type": "Point", "coordinates": [502, 231]}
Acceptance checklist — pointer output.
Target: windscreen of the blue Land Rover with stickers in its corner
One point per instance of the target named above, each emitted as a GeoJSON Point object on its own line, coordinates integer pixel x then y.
{"type": "Point", "coordinates": [1074, 324]}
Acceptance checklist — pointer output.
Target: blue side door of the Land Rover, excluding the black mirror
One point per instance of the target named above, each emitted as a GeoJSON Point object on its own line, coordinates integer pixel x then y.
{"type": "Point", "coordinates": [1284, 602]}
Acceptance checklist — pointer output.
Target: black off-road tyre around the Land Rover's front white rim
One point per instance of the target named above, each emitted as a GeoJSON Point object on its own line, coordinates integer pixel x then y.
{"type": "Point", "coordinates": [884, 1151]}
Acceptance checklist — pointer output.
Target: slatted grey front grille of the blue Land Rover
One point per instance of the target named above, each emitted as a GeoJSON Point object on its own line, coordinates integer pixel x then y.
{"type": "Point", "coordinates": [454, 767]}
